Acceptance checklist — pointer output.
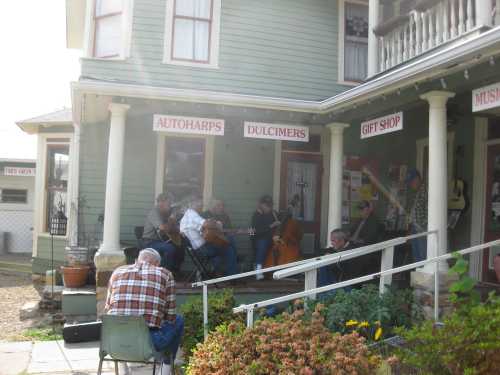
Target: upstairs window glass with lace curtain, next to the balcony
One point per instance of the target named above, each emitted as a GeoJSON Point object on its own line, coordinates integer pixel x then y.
{"type": "Point", "coordinates": [355, 64]}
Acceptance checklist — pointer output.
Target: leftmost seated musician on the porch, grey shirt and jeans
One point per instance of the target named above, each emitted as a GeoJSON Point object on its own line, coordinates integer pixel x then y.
{"type": "Point", "coordinates": [156, 229]}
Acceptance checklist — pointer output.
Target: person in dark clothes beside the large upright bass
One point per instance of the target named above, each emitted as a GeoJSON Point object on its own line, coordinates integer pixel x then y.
{"type": "Point", "coordinates": [264, 221]}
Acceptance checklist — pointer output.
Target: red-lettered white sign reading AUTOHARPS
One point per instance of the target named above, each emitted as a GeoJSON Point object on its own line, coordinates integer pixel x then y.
{"type": "Point", "coordinates": [188, 125]}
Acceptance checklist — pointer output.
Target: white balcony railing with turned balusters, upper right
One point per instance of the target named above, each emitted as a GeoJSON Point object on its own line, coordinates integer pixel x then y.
{"type": "Point", "coordinates": [431, 24]}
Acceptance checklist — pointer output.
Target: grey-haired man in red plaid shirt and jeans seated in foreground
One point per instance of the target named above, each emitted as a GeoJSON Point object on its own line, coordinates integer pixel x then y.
{"type": "Point", "coordinates": [146, 289]}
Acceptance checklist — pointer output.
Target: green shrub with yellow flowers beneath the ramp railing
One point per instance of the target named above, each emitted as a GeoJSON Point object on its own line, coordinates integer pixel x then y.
{"type": "Point", "coordinates": [394, 308]}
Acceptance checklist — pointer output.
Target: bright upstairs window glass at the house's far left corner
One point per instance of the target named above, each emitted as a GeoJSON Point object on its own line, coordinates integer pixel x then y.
{"type": "Point", "coordinates": [108, 31]}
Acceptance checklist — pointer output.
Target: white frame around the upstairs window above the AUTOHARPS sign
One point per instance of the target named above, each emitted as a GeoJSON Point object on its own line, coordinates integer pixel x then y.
{"type": "Point", "coordinates": [214, 39]}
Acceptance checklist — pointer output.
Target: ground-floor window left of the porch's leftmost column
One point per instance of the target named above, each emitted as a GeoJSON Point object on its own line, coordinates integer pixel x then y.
{"type": "Point", "coordinates": [56, 186]}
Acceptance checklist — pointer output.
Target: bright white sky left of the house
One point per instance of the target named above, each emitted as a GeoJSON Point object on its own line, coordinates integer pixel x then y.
{"type": "Point", "coordinates": [35, 69]}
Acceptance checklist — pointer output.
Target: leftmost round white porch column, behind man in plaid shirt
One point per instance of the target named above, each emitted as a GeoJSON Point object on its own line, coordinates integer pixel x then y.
{"type": "Point", "coordinates": [111, 230]}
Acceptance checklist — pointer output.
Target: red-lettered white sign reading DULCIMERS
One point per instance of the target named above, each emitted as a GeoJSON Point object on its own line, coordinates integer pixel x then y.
{"type": "Point", "coordinates": [276, 131]}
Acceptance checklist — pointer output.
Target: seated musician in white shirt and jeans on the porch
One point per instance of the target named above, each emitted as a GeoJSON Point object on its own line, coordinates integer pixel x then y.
{"type": "Point", "coordinates": [192, 225]}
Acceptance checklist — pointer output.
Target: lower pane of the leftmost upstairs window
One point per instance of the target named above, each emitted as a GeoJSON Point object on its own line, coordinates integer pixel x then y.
{"type": "Point", "coordinates": [108, 36]}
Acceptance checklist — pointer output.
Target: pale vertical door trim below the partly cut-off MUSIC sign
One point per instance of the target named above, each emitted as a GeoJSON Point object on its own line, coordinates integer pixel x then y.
{"type": "Point", "coordinates": [478, 194]}
